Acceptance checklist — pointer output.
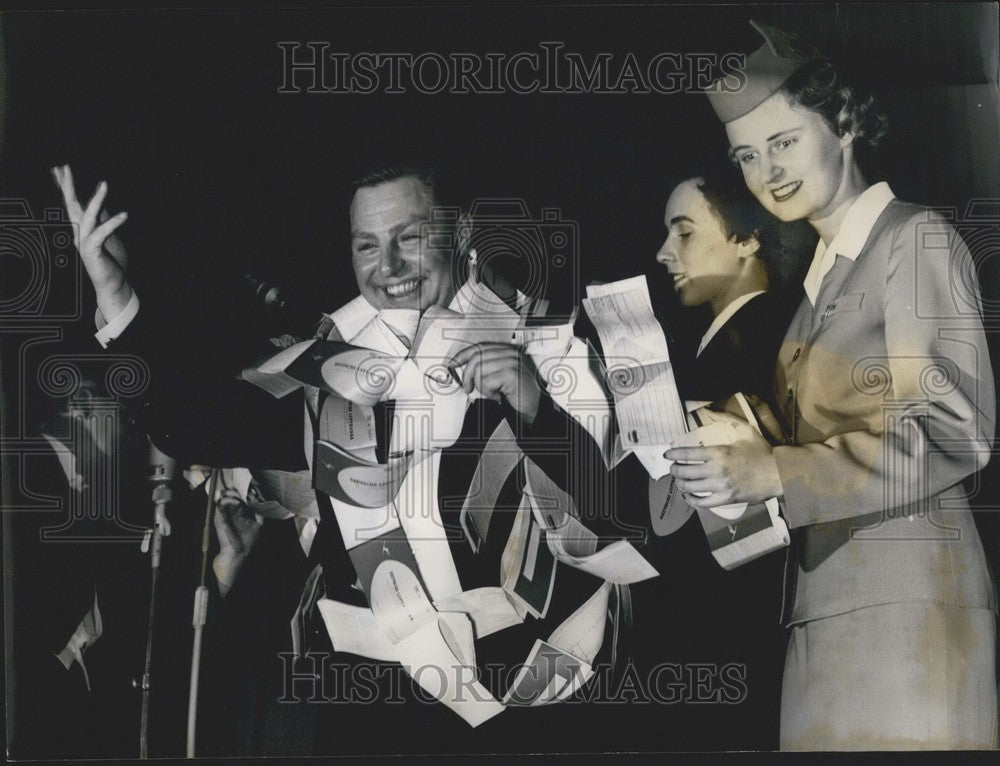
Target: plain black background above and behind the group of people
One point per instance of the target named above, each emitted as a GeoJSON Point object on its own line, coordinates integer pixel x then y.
{"type": "Point", "coordinates": [221, 175]}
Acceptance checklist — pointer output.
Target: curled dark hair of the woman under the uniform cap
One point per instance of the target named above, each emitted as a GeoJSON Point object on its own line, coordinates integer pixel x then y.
{"type": "Point", "coordinates": [819, 86]}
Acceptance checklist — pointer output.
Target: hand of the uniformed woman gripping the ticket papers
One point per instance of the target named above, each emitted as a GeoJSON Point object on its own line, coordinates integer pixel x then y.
{"type": "Point", "coordinates": [742, 472]}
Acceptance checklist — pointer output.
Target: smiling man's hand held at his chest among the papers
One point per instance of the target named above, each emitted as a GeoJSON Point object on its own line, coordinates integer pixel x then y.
{"type": "Point", "coordinates": [498, 370]}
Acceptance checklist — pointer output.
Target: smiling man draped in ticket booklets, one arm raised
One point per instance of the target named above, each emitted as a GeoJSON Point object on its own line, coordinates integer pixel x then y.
{"type": "Point", "coordinates": [405, 260]}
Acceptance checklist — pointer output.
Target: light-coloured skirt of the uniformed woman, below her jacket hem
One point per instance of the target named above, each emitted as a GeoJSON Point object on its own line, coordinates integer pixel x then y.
{"type": "Point", "coordinates": [894, 677]}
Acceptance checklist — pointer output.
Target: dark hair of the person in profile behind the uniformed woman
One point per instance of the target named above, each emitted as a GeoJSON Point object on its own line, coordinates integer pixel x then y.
{"type": "Point", "coordinates": [784, 247]}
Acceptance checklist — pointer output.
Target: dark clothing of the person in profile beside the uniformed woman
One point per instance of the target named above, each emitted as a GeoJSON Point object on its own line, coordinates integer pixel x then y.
{"type": "Point", "coordinates": [697, 613]}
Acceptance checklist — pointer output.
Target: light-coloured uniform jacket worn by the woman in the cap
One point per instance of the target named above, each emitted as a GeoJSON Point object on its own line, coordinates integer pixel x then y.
{"type": "Point", "coordinates": [888, 394]}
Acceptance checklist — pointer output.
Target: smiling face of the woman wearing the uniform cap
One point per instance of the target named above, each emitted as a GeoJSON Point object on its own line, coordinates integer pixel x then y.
{"type": "Point", "coordinates": [791, 159]}
